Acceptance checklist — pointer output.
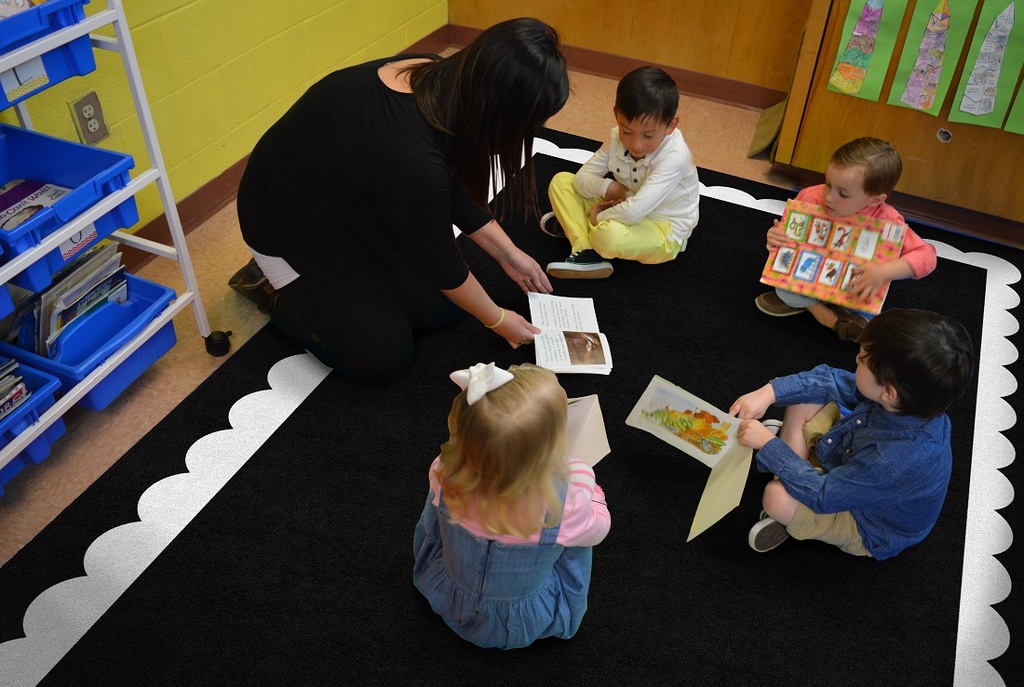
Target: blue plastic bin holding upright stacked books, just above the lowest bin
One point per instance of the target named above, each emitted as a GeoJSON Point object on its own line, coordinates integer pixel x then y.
{"type": "Point", "coordinates": [94, 338]}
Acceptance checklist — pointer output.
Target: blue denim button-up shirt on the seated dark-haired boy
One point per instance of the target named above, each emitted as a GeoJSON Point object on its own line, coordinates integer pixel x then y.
{"type": "Point", "coordinates": [890, 471]}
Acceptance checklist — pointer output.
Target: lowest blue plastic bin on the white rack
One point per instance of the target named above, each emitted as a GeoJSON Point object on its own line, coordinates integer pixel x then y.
{"type": "Point", "coordinates": [42, 388]}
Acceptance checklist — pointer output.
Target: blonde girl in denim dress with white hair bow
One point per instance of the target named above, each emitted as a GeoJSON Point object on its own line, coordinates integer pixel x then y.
{"type": "Point", "coordinates": [503, 547]}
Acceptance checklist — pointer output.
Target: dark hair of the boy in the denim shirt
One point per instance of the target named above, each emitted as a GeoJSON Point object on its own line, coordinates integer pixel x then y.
{"type": "Point", "coordinates": [928, 358]}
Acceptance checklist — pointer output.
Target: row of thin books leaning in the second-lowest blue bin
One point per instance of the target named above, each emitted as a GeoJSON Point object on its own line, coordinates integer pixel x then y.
{"type": "Point", "coordinates": [95, 278]}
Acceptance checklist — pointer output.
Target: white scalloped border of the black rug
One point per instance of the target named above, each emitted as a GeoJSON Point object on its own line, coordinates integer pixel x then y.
{"type": "Point", "coordinates": [62, 615]}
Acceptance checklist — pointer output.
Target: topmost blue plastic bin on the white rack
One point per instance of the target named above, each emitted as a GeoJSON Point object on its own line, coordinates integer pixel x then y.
{"type": "Point", "coordinates": [71, 60]}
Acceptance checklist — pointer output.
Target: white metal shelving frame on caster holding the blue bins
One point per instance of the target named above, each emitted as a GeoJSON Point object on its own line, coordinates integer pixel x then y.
{"type": "Point", "coordinates": [114, 17]}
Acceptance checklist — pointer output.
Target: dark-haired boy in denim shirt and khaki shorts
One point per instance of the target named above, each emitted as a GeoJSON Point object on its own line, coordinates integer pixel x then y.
{"type": "Point", "coordinates": [872, 482]}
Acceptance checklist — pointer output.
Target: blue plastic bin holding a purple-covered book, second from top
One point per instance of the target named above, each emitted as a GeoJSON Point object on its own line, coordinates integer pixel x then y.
{"type": "Point", "coordinates": [92, 174]}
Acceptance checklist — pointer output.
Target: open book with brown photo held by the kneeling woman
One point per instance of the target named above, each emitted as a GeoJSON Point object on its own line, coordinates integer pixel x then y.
{"type": "Point", "coordinates": [570, 340]}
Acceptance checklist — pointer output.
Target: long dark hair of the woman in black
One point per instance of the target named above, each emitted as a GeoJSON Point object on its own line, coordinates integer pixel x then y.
{"type": "Point", "coordinates": [492, 98]}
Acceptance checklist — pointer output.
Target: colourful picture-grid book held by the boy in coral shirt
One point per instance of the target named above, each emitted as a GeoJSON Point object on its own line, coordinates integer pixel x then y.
{"type": "Point", "coordinates": [831, 253]}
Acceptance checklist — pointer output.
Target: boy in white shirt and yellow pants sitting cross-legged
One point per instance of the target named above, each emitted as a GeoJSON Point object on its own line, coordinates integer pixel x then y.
{"type": "Point", "coordinates": [650, 209]}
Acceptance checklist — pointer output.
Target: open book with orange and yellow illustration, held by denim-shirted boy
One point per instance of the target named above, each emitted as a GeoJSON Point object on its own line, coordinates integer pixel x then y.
{"type": "Point", "coordinates": [703, 432]}
